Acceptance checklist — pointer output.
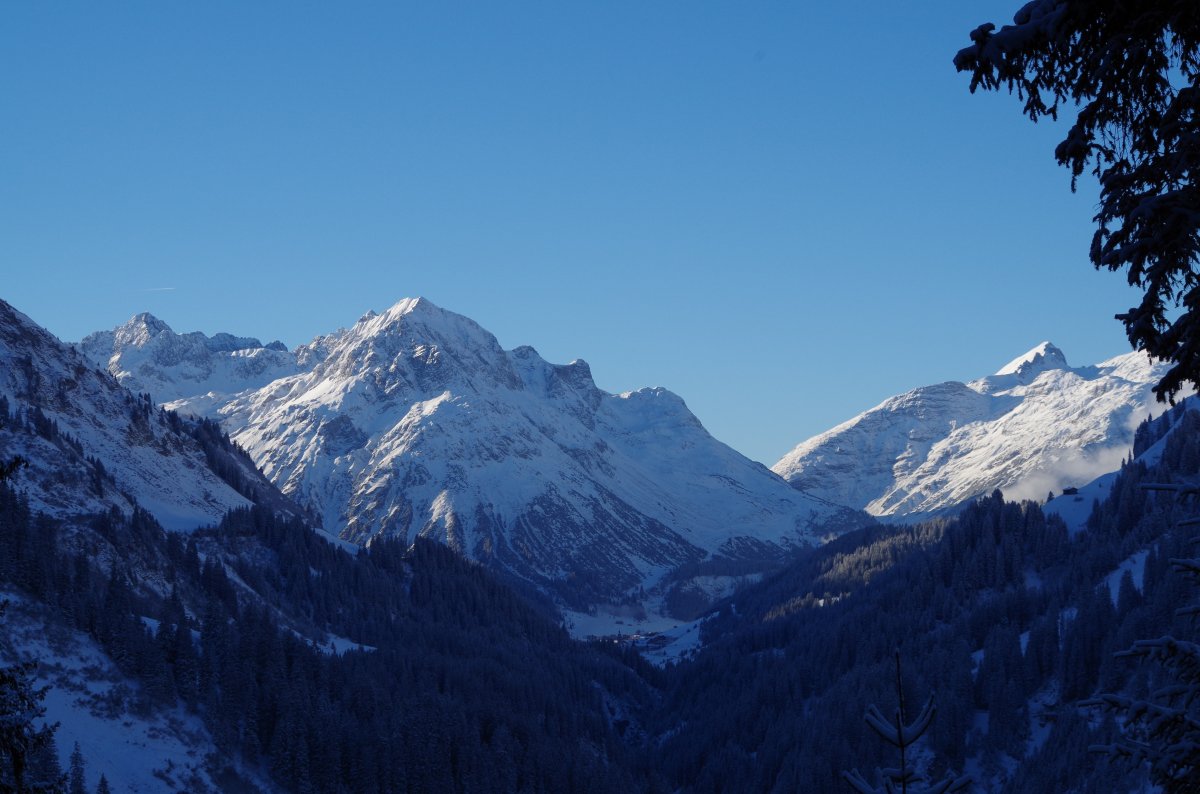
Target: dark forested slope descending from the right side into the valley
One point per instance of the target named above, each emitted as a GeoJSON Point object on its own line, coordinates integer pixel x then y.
{"type": "Point", "coordinates": [1007, 616]}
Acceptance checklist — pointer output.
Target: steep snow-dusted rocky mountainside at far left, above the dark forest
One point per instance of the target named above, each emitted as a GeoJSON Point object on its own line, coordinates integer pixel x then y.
{"type": "Point", "coordinates": [92, 446]}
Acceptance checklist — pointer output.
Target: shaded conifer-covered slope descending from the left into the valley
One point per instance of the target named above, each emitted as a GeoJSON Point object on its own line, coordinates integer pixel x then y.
{"type": "Point", "coordinates": [257, 649]}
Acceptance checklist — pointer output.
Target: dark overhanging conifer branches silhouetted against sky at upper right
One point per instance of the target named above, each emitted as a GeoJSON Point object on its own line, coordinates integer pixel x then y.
{"type": "Point", "coordinates": [1133, 70]}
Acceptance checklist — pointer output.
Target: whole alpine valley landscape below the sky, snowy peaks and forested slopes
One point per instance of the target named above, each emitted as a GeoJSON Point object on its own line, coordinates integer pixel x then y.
{"type": "Point", "coordinates": [370, 564]}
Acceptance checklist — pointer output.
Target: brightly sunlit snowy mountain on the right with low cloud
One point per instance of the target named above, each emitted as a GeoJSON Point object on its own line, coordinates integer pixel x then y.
{"type": "Point", "coordinates": [1036, 426]}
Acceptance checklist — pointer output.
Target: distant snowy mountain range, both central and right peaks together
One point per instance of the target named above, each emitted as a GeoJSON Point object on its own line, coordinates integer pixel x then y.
{"type": "Point", "coordinates": [416, 423]}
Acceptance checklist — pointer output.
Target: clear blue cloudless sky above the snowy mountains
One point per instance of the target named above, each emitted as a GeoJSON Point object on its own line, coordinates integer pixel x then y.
{"type": "Point", "coordinates": [783, 212]}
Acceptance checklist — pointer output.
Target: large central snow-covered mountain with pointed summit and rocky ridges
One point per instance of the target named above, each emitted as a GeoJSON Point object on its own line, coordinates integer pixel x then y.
{"type": "Point", "coordinates": [417, 423]}
